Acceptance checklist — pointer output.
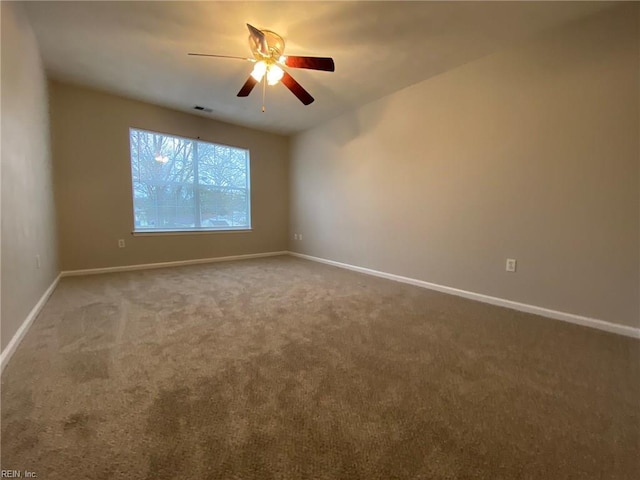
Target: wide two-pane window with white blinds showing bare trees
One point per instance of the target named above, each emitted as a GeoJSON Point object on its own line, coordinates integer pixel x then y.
{"type": "Point", "coordinates": [180, 184]}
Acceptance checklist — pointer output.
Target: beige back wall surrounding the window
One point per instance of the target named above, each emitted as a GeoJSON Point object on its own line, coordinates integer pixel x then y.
{"type": "Point", "coordinates": [93, 182]}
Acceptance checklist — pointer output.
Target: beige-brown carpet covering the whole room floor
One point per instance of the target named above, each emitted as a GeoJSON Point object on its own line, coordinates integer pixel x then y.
{"type": "Point", "coordinates": [280, 368]}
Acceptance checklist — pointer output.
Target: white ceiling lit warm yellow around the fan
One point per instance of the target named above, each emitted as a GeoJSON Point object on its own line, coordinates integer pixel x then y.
{"type": "Point", "coordinates": [139, 49]}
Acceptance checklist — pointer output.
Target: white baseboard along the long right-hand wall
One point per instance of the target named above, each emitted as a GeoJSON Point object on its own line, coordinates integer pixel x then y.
{"type": "Point", "coordinates": [523, 307]}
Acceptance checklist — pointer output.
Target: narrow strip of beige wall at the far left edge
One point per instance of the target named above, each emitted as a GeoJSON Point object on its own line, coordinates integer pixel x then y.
{"type": "Point", "coordinates": [28, 214]}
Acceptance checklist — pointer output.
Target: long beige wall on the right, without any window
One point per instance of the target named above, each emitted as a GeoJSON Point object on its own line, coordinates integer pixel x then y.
{"type": "Point", "coordinates": [531, 154]}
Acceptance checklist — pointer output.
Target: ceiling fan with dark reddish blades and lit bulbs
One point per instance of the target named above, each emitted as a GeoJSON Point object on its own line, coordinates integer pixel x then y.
{"type": "Point", "coordinates": [268, 49]}
